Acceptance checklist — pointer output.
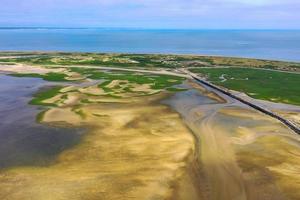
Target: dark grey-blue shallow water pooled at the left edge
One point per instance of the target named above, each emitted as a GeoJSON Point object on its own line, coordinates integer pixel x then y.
{"type": "Point", "coordinates": [22, 140]}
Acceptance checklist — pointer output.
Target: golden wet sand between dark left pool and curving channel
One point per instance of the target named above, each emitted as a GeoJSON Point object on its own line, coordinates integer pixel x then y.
{"type": "Point", "coordinates": [134, 150]}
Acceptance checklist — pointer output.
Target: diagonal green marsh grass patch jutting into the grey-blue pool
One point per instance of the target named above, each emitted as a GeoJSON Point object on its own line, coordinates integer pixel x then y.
{"type": "Point", "coordinates": [44, 95]}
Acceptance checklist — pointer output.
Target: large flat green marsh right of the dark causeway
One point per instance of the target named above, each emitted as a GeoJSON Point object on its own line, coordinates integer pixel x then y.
{"type": "Point", "coordinates": [261, 84]}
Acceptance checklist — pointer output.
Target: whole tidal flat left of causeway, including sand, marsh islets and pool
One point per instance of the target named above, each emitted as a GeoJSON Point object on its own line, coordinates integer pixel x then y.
{"type": "Point", "coordinates": [137, 135]}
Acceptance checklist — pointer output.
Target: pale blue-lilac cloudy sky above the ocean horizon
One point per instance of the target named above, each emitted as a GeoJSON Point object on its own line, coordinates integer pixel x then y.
{"type": "Point", "coordinates": [183, 14]}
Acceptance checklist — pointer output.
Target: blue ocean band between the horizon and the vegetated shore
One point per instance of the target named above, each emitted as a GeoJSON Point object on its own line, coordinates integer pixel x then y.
{"type": "Point", "coordinates": [267, 44]}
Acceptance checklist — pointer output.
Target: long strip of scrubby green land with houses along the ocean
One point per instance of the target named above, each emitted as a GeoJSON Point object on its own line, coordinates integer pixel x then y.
{"type": "Point", "coordinates": [143, 60]}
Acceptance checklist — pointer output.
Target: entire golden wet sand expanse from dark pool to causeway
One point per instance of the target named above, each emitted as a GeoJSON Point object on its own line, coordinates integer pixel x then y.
{"type": "Point", "coordinates": [189, 145]}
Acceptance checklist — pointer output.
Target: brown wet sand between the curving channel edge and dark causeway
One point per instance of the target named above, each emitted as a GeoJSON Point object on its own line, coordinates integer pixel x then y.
{"type": "Point", "coordinates": [242, 153]}
